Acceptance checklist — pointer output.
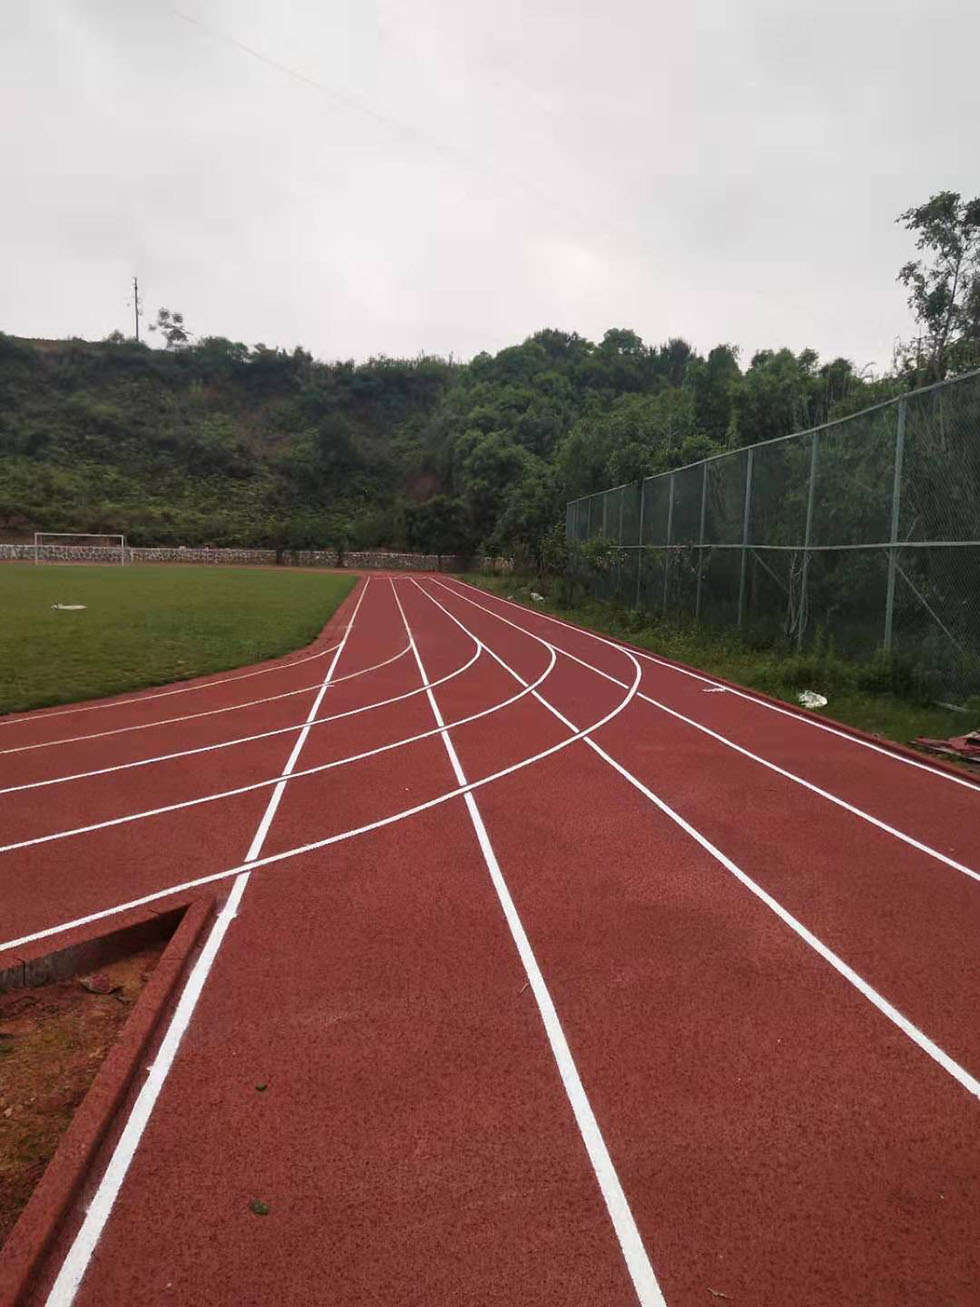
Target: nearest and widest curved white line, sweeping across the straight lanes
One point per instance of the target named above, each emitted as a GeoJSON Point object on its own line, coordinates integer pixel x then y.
{"type": "Point", "coordinates": [330, 840]}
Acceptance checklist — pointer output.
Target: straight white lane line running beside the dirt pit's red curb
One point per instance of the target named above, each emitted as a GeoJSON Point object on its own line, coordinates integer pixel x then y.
{"type": "Point", "coordinates": [76, 1262]}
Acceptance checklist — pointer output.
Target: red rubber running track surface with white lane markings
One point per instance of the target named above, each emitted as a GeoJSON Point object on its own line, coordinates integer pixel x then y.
{"type": "Point", "coordinates": [668, 1002]}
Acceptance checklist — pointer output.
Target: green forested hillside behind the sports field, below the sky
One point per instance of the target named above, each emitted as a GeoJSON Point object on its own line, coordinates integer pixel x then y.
{"type": "Point", "coordinates": [220, 444]}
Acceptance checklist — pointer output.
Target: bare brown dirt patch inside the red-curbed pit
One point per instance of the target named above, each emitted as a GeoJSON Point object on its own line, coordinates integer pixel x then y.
{"type": "Point", "coordinates": [53, 1042]}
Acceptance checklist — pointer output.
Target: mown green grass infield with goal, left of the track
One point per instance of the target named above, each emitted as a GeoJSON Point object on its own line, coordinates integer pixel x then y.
{"type": "Point", "coordinates": [148, 625]}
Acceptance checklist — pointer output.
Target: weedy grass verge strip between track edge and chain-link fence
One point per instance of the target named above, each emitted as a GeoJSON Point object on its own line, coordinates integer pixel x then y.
{"type": "Point", "coordinates": [849, 687]}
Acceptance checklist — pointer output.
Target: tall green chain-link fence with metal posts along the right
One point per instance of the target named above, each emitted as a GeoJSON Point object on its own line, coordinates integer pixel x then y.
{"type": "Point", "coordinates": [866, 530]}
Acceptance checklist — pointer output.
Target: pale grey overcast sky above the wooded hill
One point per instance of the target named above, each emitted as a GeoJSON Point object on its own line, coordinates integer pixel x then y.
{"type": "Point", "coordinates": [445, 176]}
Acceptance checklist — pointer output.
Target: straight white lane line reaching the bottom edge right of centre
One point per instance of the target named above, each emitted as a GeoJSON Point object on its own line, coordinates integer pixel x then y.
{"type": "Point", "coordinates": [617, 1206]}
